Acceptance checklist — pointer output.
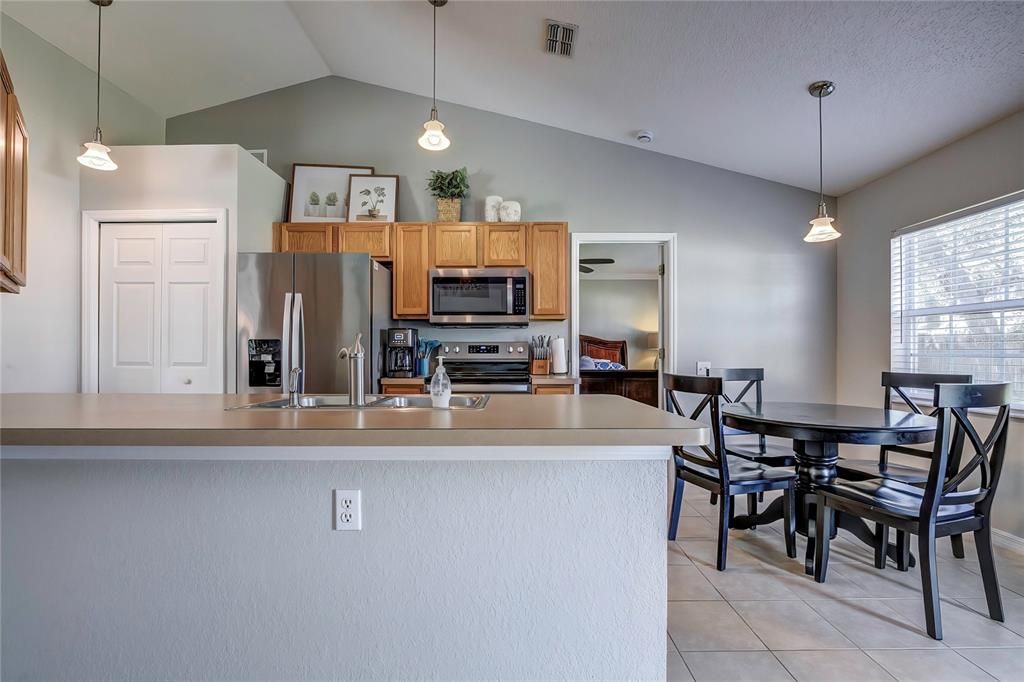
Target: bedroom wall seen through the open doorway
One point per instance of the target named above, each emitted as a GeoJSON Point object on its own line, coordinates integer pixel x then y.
{"type": "Point", "coordinates": [621, 310]}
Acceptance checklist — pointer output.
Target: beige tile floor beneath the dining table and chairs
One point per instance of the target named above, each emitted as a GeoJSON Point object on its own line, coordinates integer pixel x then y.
{"type": "Point", "coordinates": [764, 620]}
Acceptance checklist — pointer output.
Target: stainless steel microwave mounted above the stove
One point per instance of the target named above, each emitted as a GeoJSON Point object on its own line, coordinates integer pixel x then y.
{"type": "Point", "coordinates": [480, 297]}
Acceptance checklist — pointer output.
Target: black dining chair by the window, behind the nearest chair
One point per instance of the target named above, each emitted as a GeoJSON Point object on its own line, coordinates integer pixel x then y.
{"type": "Point", "coordinates": [902, 383]}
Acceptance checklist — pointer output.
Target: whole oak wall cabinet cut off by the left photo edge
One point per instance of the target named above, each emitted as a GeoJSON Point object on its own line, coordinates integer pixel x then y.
{"type": "Point", "coordinates": [15, 181]}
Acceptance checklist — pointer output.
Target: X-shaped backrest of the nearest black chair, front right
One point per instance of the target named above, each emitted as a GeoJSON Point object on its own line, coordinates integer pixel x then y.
{"type": "Point", "coordinates": [949, 472]}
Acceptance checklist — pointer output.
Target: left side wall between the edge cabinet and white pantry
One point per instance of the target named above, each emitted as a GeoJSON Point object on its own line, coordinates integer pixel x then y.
{"type": "Point", "coordinates": [40, 326]}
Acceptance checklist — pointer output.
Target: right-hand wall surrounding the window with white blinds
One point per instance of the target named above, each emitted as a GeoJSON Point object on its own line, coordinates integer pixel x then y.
{"type": "Point", "coordinates": [983, 166]}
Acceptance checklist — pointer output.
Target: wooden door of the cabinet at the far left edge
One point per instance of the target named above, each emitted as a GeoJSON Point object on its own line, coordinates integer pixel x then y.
{"type": "Point", "coordinates": [17, 191]}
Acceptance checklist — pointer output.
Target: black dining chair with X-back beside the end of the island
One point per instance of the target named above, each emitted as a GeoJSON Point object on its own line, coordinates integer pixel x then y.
{"type": "Point", "coordinates": [713, 470]}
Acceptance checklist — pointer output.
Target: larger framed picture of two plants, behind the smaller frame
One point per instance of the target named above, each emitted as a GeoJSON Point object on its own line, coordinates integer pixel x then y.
{"type": "Point", "coordinates": [320, 192]}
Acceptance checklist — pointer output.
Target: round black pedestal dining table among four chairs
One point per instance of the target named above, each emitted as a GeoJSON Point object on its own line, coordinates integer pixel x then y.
{"type": "Point", "coordinates": [817, 432]}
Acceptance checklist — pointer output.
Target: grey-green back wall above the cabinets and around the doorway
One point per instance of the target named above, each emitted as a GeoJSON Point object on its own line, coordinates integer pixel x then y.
{"type": "Point", "coordinates": [751, 291]}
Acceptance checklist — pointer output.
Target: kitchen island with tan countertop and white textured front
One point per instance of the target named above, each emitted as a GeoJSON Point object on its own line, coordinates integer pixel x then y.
{"type": "Point", "coordinates": [166, 537]}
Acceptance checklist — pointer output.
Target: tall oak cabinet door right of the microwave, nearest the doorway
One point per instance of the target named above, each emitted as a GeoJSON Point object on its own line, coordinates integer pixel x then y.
{"type": "Point", "coordinates": [549, 270]}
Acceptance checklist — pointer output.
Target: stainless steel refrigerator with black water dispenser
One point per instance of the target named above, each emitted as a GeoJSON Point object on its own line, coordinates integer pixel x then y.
{"type": "Point", "coordinates": [300, 310]}
